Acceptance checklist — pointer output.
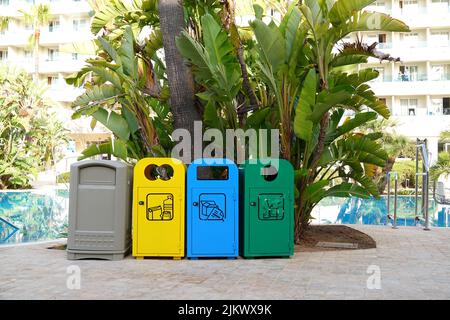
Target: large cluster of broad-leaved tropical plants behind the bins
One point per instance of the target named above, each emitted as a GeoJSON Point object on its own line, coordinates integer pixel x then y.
{"type": "Point", "coordinates": [293, 76]}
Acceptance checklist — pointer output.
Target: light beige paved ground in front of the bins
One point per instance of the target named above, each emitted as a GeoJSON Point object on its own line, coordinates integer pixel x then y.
{"type": "Point", "coordinates": [414, 264]}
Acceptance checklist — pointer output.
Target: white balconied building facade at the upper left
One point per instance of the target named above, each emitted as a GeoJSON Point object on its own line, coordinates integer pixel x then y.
{"type": "Point", "coordinates": [69, 23]}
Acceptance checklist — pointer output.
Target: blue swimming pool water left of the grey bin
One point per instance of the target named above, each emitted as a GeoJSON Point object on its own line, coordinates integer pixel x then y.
{"type": "Point", "coordinates": [28, 216]}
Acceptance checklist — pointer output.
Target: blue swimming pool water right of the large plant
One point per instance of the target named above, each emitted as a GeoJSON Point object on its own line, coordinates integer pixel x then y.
{"type": "Point", "coordinates": [373, 211]}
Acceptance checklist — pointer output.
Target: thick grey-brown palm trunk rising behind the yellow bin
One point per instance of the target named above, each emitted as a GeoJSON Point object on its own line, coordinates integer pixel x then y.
{"type": "Point", "coordinates": [181, 81]}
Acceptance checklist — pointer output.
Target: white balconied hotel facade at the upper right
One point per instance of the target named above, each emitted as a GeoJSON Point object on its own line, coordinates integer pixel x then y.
{"type": "Point", "coordinates": [417, 89]}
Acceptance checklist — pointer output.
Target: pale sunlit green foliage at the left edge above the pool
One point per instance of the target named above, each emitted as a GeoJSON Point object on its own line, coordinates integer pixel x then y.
{"type": "Point", "coordinates": [29, 134]}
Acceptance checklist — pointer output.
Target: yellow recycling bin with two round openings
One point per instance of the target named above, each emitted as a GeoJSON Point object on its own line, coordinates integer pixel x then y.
{"type": "Point", "coordinates": [158, 208]}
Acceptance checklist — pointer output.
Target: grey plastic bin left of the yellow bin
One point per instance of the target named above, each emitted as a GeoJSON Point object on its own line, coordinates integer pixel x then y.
{"type": "Point", "coordinates": [99, 210]}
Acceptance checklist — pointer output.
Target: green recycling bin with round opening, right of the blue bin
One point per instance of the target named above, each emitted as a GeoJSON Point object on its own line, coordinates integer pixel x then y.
{"type": "Point", "coordinates": [267, 209]}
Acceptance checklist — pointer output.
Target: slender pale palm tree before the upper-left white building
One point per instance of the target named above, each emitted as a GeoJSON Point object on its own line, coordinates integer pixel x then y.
{"type": "Point", "coordinates": [38, 16]}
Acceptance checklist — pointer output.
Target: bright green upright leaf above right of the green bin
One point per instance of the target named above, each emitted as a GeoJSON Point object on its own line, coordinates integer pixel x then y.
{"type": "Point", "coordinates": [303, 126]}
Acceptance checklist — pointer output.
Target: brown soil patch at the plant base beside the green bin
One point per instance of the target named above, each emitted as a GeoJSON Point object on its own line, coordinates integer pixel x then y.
{"type": "Point", "coordinates": [334, 234]}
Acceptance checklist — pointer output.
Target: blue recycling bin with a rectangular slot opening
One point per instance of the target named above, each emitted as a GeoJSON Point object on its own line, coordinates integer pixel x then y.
{"type": "Point", "coordinates": [212, 209]}
